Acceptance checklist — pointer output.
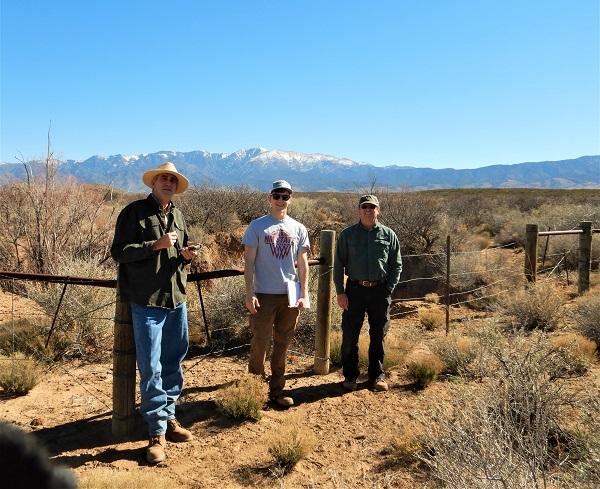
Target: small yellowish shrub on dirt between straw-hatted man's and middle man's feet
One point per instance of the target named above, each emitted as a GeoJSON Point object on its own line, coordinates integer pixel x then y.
{"type": "Point", "coordinates": [244, 399]}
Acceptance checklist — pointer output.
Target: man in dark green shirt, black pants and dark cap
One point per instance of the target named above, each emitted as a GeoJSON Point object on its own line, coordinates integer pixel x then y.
{"type": "Point", "coordinates": [368, 253]}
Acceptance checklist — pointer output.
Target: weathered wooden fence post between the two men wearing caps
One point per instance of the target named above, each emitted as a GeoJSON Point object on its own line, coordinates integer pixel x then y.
{"type": "Point", "coordinates": [323, 328]}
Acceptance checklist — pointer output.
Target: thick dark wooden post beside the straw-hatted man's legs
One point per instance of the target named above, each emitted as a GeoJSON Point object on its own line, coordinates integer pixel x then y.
{"type": "Point", "coordinates": [123, 421]}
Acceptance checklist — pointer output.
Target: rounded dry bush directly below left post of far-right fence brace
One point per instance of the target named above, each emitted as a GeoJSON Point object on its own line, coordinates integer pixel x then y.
{"type": "Point", "coordinates": [539, 306]}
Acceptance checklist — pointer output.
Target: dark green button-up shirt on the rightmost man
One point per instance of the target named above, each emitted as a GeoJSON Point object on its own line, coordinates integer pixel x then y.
{"type": "Point", "coordinates": [364, 254]}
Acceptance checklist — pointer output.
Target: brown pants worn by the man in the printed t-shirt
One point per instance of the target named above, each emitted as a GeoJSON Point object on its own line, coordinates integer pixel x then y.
{"type": "Point", "coordinates": [274, 318]}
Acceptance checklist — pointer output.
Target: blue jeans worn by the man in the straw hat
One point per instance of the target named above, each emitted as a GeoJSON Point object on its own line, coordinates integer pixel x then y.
{"type": "Point", "coordinates": [161, 342]}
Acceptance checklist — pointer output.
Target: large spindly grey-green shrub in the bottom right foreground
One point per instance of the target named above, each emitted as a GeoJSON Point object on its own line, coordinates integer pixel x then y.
{"type": "Point", "coordinates": [502, 437]}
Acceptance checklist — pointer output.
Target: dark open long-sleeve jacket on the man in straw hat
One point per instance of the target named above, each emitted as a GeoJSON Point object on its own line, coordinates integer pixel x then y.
{"type": "Point", "coordinates": [150, 277]}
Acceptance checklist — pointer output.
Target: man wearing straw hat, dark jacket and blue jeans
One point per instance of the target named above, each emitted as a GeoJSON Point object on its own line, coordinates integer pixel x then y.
{"type": "Point", "coordinates": [151, 247]}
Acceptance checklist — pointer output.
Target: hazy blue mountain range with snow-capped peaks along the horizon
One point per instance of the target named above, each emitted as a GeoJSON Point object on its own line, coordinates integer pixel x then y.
{"type": "Point", "coordinates": [258, 167]}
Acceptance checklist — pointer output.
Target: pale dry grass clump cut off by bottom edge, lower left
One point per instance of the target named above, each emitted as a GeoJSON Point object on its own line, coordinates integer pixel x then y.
{"type": "Point", "coordinates": [109, 478]}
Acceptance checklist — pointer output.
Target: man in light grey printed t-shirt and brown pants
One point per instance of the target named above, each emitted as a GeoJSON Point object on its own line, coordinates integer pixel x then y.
{"type": "Point", "coordinates": [272, 245]}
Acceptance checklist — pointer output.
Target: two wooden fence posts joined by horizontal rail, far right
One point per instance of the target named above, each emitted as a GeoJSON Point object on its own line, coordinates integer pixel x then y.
{"type": "Point", "coordinates": [584, 231]}
